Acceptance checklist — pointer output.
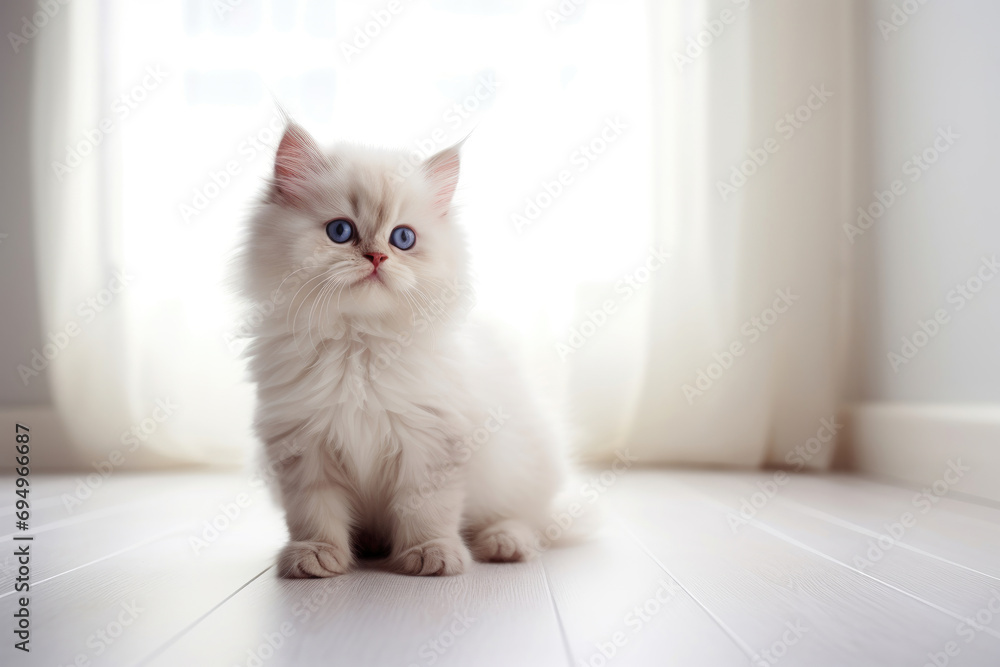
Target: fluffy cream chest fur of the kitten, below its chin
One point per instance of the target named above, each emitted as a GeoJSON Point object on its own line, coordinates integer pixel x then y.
{"type": "Point", "coordinates": [372, 405]}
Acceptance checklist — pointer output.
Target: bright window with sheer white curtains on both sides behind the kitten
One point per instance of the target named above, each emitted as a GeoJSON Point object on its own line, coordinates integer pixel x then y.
{"type": "Point", "coordinates": [591, 155]}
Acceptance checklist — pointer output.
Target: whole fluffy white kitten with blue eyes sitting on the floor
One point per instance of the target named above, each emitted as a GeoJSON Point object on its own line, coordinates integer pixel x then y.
{"type": "Point", "coordinates": [395, 429]}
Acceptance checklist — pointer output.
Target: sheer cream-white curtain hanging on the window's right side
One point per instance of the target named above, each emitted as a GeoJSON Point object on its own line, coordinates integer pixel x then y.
{"type": "Point", "coordinates": [754, 174]}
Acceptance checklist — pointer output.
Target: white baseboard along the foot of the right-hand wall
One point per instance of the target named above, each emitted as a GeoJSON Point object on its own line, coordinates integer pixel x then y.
{"type": "Point", "coordinates": [918, 443]}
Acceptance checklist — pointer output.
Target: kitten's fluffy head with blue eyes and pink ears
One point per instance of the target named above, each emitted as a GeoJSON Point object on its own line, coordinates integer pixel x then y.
{"type": "Point", "coordinates": [344, 234]}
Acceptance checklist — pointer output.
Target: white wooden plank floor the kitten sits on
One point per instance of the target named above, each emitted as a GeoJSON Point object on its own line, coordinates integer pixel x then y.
{"type": "Point", "coordinates": [669, 581]}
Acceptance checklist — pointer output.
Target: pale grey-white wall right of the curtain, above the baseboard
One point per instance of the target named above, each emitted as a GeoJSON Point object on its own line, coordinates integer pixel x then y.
{"type": "Point", "coordinates": [941, 69]}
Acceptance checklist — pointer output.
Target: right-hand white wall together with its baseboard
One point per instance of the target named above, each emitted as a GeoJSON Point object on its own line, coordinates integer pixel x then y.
{"type": "Point", "coordinates": [939, 72]}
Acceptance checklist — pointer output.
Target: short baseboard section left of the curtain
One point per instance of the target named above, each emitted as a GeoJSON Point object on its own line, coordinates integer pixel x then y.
{"type": "Point", "coordinates": [50, 446]}
